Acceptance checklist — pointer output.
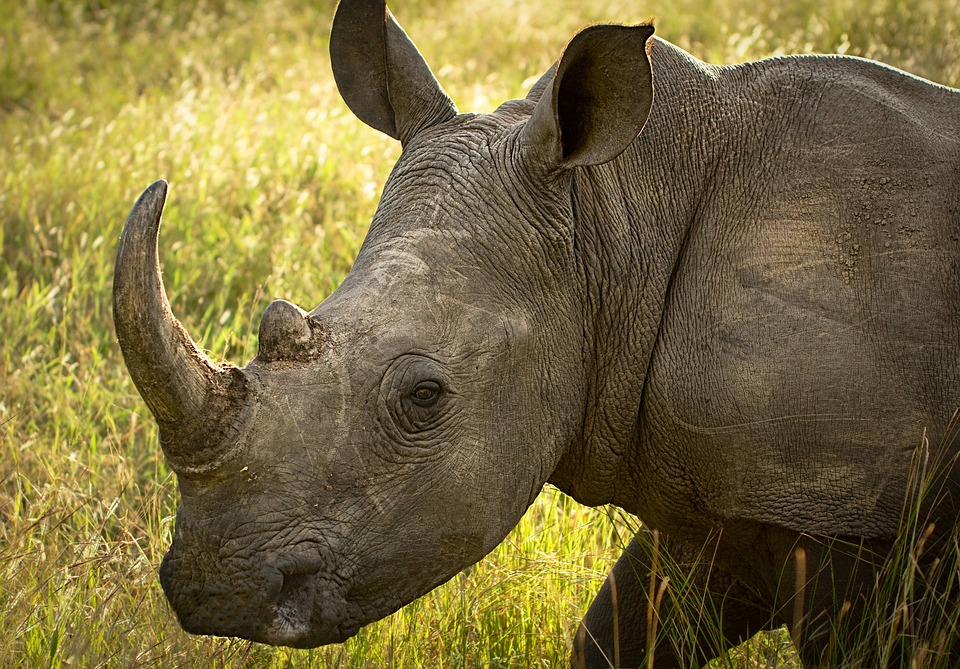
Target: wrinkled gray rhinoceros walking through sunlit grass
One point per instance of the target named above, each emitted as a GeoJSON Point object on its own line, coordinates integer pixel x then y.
{"type": "Point", "coordinates": [736, 325]}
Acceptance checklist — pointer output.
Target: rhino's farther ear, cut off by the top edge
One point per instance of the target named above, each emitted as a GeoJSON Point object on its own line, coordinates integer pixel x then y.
{"type": "Point", "coordinates": [381, 74]}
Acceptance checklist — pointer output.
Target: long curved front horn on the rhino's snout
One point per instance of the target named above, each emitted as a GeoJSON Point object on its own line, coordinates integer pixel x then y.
{"type": "Point", "coordinates": [177, 381]}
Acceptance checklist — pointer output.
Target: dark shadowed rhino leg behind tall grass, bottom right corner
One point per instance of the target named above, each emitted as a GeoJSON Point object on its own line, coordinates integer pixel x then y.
{"type": "Point", "coordinates": [838, 598]}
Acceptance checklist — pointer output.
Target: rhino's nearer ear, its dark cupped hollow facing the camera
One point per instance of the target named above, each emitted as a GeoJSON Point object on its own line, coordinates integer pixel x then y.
{"type": "Point", "coordinates": [598, 102]}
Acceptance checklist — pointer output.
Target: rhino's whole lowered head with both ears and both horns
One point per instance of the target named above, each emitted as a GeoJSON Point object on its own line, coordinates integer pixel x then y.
{"type": "Point", "coordinates": [394, 435]}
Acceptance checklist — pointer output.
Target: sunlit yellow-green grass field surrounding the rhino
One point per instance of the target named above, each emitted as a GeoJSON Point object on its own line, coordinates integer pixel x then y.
{"type": "Point", "coordinates": [273, 182]}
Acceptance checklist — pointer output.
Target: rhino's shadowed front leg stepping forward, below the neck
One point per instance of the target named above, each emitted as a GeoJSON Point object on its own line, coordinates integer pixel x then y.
{"type": "Point", "coordinates": [614, 632]}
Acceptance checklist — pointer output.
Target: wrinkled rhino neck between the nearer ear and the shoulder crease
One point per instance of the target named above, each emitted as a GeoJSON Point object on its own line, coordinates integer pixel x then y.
{"type": "Point", "coordinates": [633, 216]}
